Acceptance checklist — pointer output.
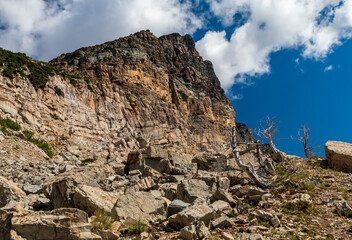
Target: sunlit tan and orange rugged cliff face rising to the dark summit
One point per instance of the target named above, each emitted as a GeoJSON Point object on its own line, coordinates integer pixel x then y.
{"type": "Point", "coordinates": [130, 91]}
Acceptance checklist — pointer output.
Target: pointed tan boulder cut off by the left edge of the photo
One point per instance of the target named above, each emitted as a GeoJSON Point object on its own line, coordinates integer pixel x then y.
{"type": "Point", "coordinates": [9, 192]}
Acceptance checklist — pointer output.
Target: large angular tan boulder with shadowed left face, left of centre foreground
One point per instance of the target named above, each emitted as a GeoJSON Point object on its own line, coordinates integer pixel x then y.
{"type": "Point", "coordinates": [81, 188]}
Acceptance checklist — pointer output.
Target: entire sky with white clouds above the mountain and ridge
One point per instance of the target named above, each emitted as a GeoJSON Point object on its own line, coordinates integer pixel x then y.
{"type": "Point", "coordinates": [284, 58]}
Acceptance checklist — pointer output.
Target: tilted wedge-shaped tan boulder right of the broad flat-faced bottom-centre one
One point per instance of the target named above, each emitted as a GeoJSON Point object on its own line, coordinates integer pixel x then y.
{"type": "Point", "coordinates": [197, 212]}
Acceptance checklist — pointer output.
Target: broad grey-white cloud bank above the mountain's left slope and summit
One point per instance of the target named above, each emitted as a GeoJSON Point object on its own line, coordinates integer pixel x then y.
{"type": "Point", "coordinates": [46, 28]}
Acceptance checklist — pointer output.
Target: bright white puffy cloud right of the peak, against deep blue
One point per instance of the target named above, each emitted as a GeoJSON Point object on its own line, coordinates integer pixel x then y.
{"type": "Point", "coordinates": [315, 26]}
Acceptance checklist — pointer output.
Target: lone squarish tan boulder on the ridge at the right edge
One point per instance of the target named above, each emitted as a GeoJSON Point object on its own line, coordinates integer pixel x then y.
{"type": "Point", "coordinates": [339, 155]}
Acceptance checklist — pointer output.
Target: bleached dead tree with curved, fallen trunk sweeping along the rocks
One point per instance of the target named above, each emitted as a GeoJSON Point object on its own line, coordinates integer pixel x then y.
{"type": "Point", "coordinates": [250, 168]}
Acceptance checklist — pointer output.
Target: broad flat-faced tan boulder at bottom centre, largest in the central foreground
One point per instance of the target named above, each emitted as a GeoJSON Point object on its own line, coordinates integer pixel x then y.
{"type": "Point", "coordinates": [140, 205]}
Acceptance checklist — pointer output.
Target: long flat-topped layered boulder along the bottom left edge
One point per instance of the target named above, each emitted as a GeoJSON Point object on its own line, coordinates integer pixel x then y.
{"type": "Point", "coordinates": [60, 224]}
